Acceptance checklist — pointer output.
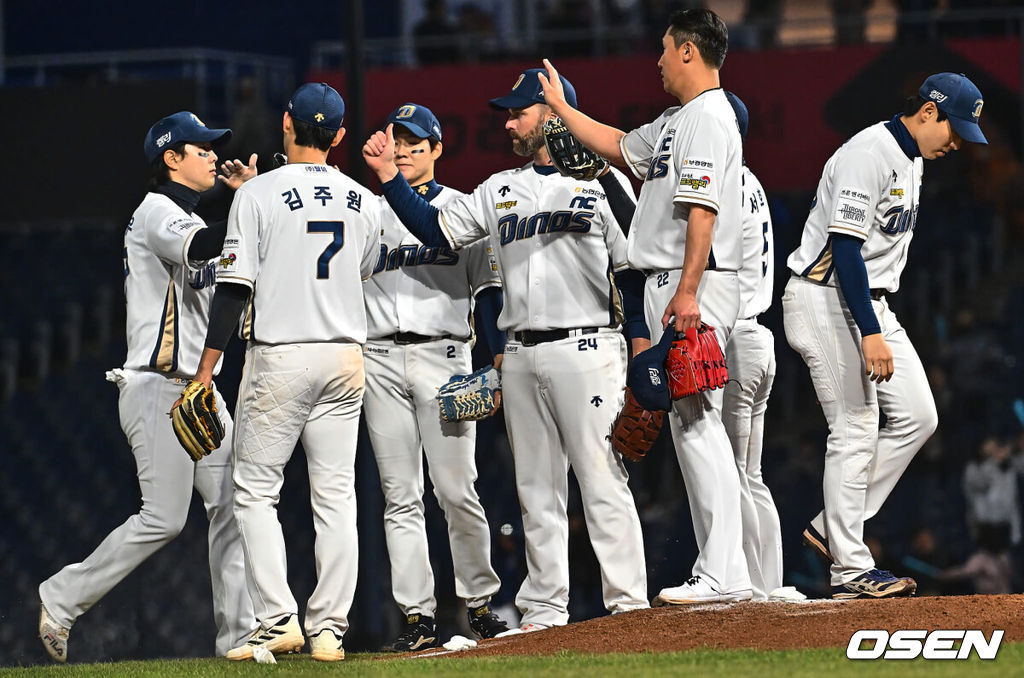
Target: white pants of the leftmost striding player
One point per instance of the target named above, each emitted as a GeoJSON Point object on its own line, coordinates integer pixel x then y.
{"type": "Point", "coordinates": [166, 477]}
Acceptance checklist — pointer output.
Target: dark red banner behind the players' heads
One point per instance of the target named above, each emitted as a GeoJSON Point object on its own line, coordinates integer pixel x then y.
{"type": "Point", "coordinates": [787, 92]}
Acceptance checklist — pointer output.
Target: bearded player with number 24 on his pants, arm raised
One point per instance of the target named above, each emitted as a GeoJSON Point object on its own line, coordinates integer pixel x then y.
{"type": "Point", "coordinates": [558, 243]}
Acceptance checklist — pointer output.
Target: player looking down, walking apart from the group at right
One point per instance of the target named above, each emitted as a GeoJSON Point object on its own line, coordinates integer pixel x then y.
{"type": "Point", "coordinates": [852, 251]}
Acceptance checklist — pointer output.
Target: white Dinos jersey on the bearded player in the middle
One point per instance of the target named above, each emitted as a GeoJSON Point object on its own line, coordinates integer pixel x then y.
{"type": "Point", "coordinates": [557, 242]}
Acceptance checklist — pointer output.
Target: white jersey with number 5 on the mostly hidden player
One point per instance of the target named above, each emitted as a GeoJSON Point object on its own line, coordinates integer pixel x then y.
{"type": "Point", "coordinates": [758, 273]}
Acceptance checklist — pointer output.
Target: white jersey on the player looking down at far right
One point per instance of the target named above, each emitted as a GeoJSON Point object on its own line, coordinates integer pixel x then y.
{"type": "Point", "coordinates": [870, 190]}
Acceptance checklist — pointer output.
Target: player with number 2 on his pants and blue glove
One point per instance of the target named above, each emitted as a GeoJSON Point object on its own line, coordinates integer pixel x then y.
{"type": "Point", "coordinates": [419, 308]}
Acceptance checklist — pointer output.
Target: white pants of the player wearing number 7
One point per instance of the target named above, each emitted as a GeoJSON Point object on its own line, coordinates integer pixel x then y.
{"type": "Point", "coordinates": [289, 393]}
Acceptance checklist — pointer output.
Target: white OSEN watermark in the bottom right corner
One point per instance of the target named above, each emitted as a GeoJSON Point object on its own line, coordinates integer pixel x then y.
{"type": "Point", "coordinates": [910, 645]}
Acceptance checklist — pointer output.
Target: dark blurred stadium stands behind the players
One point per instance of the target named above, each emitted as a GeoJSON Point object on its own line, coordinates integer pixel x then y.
{"type": "Point", "coordinates": [68, 475]}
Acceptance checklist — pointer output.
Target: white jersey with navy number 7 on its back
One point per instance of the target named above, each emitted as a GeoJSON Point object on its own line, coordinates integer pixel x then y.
{"type": "Point", "coordinates": [324, 232]}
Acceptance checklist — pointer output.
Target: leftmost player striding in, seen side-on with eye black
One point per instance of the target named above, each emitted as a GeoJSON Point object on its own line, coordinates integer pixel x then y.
{"type": "Point", "coordinates": [169, 275]}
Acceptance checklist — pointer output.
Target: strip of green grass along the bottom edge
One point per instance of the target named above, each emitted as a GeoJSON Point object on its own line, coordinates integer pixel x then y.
{"type": "Point", "coordinates": [788, 664]}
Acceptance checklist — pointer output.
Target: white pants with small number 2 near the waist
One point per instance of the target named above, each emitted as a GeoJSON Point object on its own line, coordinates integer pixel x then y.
{"type": "Point", "coordinates": [404, 421]}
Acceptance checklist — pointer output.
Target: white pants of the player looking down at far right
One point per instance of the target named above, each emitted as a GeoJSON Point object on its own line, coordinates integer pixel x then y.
{"type": "Point", "coordinates": [863, 464]}
